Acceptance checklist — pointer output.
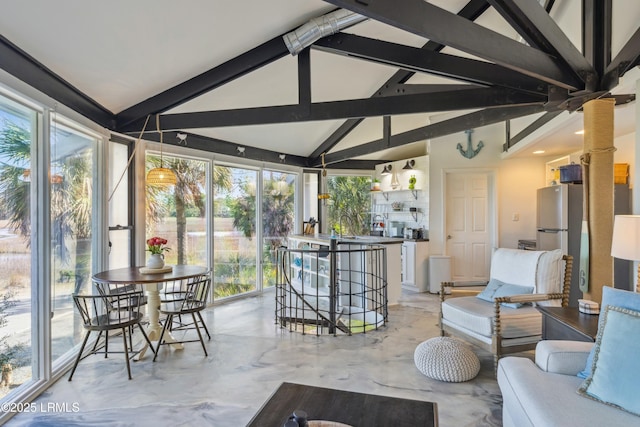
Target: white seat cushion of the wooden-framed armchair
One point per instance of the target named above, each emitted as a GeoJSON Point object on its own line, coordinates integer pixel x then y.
{"type": "Point", "coordinates": [476, 315]}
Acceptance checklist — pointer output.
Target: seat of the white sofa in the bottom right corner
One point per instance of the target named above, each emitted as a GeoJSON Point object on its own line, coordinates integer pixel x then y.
{"type": "Point", "coordinates": [532, 397]}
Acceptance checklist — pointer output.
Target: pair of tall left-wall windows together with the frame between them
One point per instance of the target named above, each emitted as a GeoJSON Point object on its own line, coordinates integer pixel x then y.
{"type": "Point", "coordinates": [48, 170]}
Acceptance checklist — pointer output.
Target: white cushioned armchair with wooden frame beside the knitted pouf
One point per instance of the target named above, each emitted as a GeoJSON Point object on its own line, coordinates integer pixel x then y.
{"type": "Point", "coordinates": [503, 329]}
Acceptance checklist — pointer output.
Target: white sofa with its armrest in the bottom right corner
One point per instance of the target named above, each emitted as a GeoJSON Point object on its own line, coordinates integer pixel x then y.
{"type": "Point", "coordinates": [545, 394]}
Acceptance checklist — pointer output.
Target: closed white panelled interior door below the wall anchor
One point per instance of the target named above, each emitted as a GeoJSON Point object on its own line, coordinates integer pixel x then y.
{"type": "Point", "coordinates": [468, 219]}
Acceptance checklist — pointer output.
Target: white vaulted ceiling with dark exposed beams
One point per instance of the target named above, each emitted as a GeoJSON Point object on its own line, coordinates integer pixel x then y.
{"type": "Point", "coordinates": [374, 91]}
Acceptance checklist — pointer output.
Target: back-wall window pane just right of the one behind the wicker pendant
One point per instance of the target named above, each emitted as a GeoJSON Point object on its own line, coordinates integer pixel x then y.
{"type": "Point", "coordinates": [235, 219]}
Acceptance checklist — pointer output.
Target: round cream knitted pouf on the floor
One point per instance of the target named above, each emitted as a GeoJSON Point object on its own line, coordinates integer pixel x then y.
{"type": "Point", "coordinates": [446, 359]}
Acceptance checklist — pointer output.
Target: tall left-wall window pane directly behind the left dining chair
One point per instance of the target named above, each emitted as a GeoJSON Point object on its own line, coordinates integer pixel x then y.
{"type": "Point", "coordinates": [72, 176]}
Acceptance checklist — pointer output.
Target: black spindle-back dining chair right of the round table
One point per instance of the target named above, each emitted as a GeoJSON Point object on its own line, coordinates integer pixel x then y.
{"type": "Point", "coordinates": [194, 302]}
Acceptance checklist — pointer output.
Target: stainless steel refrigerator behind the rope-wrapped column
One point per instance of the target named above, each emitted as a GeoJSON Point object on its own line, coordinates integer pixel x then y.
{"type": "Point", "coordinates": [559, 224]}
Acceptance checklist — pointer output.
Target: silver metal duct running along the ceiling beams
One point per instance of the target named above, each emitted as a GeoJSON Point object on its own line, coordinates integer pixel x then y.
{"type": "Point", "coordinates": [317, 28]}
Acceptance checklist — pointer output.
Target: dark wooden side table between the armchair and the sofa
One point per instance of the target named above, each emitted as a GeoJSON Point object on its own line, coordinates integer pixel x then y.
{"type": "Point", "coordinates": [568, 323]}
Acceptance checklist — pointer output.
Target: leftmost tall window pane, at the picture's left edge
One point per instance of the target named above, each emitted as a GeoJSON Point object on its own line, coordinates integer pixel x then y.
{"type": "Point", "coordinates": [17, 143]}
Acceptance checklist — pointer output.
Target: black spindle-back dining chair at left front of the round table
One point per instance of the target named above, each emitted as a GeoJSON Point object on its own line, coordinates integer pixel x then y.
{"type": "Point", "coordinates": [104, 313]}
